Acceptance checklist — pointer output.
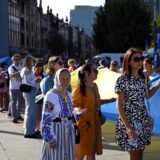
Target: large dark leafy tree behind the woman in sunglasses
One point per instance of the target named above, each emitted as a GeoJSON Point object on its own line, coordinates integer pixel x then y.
{"type": "Point", "coordinates": [121, 24]}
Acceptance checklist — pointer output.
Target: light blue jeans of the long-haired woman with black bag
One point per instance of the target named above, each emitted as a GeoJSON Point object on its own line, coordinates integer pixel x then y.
{"type": "Point", "coordinates": [30, 112]}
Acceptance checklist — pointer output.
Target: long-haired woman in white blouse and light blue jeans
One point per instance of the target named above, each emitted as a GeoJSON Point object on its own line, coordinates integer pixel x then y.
{"type": "Point", "coordinates": [29, 97]}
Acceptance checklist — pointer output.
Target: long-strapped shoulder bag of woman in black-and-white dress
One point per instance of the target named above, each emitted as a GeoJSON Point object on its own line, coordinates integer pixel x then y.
{"type": "Point", "coordinates": [150, 119]}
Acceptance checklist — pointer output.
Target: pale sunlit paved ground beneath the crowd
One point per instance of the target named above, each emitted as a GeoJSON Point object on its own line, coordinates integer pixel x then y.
{"type": "Point", "coordinates": [13, 146]}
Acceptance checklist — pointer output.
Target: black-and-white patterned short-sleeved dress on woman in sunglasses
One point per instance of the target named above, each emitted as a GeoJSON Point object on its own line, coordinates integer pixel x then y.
{"type": "Point", "coordinates": [135, 111]}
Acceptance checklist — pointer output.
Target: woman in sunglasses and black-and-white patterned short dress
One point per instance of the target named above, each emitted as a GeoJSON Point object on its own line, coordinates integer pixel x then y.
{"type": "Point", "coordinates": [133, 130]}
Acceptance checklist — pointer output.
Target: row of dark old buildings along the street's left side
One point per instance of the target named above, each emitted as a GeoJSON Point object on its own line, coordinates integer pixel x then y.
{"type": "Point", "coordinates": [25, 29]}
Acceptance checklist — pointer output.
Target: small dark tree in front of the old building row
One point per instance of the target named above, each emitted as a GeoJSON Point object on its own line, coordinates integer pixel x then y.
{"type": "Point", "coordinates": [56, 43]}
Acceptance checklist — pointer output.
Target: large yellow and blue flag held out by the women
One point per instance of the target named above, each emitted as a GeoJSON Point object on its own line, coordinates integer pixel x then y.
{"type": "Point", "coordinates": [106, 82]}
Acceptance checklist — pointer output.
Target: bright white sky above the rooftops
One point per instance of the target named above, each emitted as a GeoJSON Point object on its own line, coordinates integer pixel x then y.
{"type": "Point", "coordinates": [62, 7]}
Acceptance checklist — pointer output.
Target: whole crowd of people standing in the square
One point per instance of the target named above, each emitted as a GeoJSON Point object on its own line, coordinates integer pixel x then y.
{"type": "Point", "coordinates": [52, 107]}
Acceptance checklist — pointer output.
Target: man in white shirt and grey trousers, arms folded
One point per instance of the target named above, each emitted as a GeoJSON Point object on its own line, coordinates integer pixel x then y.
{"type": "Point", "coordinates": [17, 100]}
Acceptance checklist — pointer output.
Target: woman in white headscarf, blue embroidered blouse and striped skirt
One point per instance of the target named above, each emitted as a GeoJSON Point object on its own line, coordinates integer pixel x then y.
{"type": "Point", "coordinates": [57, 126]}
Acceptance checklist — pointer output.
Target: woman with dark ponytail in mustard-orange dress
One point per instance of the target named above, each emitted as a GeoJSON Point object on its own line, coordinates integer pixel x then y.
{"type": "Point", "coordinates": [86, 95]}
